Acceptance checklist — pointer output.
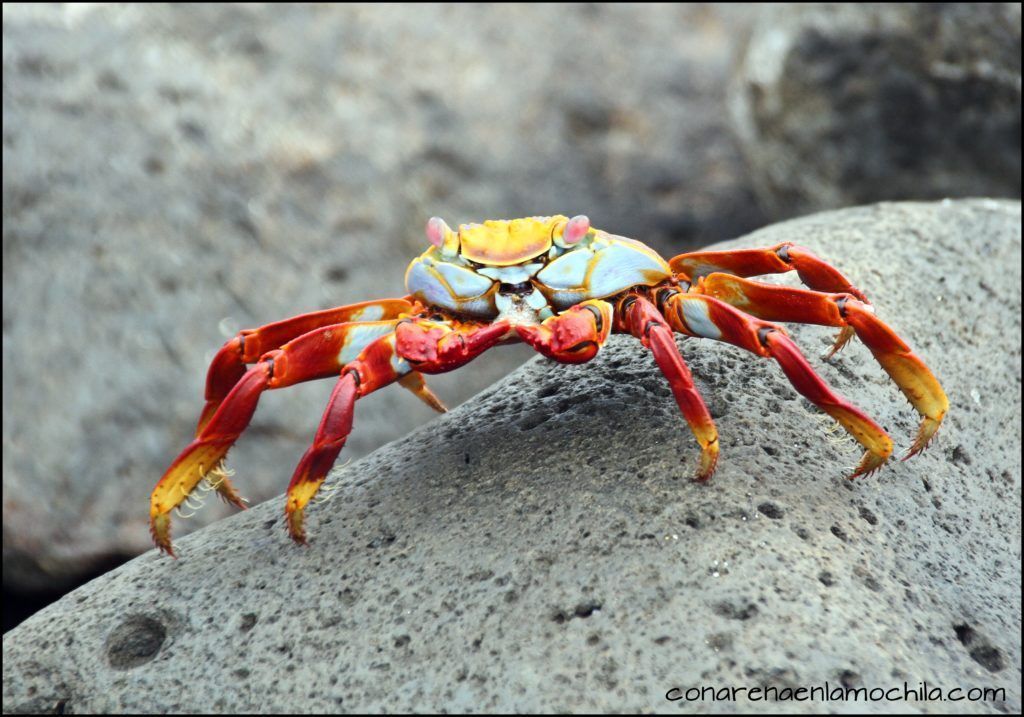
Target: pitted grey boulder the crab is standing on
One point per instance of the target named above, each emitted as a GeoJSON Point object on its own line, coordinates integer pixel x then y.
{"type": "Point", "coordinates": [543, 550]}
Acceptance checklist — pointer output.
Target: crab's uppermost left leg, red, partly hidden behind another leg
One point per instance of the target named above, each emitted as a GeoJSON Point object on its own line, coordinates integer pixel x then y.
{"type": "Point", "coordinates": [229, 366]}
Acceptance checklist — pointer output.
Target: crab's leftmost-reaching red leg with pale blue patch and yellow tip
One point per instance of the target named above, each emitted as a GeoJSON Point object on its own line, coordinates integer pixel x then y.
{"type": "Point", "coordinates": [316, 355]}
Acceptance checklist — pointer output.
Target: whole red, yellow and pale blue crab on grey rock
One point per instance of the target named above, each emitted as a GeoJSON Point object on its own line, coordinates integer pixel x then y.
{"type": "Point", "coordinates": [563, 287]}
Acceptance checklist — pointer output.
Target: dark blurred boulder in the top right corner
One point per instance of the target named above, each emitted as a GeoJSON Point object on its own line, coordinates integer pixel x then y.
{"type": "Point", "coordinates": [849, 104]}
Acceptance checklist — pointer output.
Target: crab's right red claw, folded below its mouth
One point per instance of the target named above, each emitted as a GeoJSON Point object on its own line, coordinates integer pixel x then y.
{"type": "Point", "coordinates": [574, 336]}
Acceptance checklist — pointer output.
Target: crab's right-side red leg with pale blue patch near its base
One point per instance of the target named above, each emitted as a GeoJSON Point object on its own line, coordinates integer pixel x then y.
{"type": "Point", "coordinates": [709, 318]}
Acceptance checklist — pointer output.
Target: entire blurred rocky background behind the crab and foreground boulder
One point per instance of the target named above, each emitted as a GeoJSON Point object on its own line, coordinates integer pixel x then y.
{"type": "Point", "coordinates": [176, 174]}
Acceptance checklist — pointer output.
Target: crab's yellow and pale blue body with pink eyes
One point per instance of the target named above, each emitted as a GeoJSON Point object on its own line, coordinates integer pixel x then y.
{"type": "Point", "coordinates": [541, 259]}
